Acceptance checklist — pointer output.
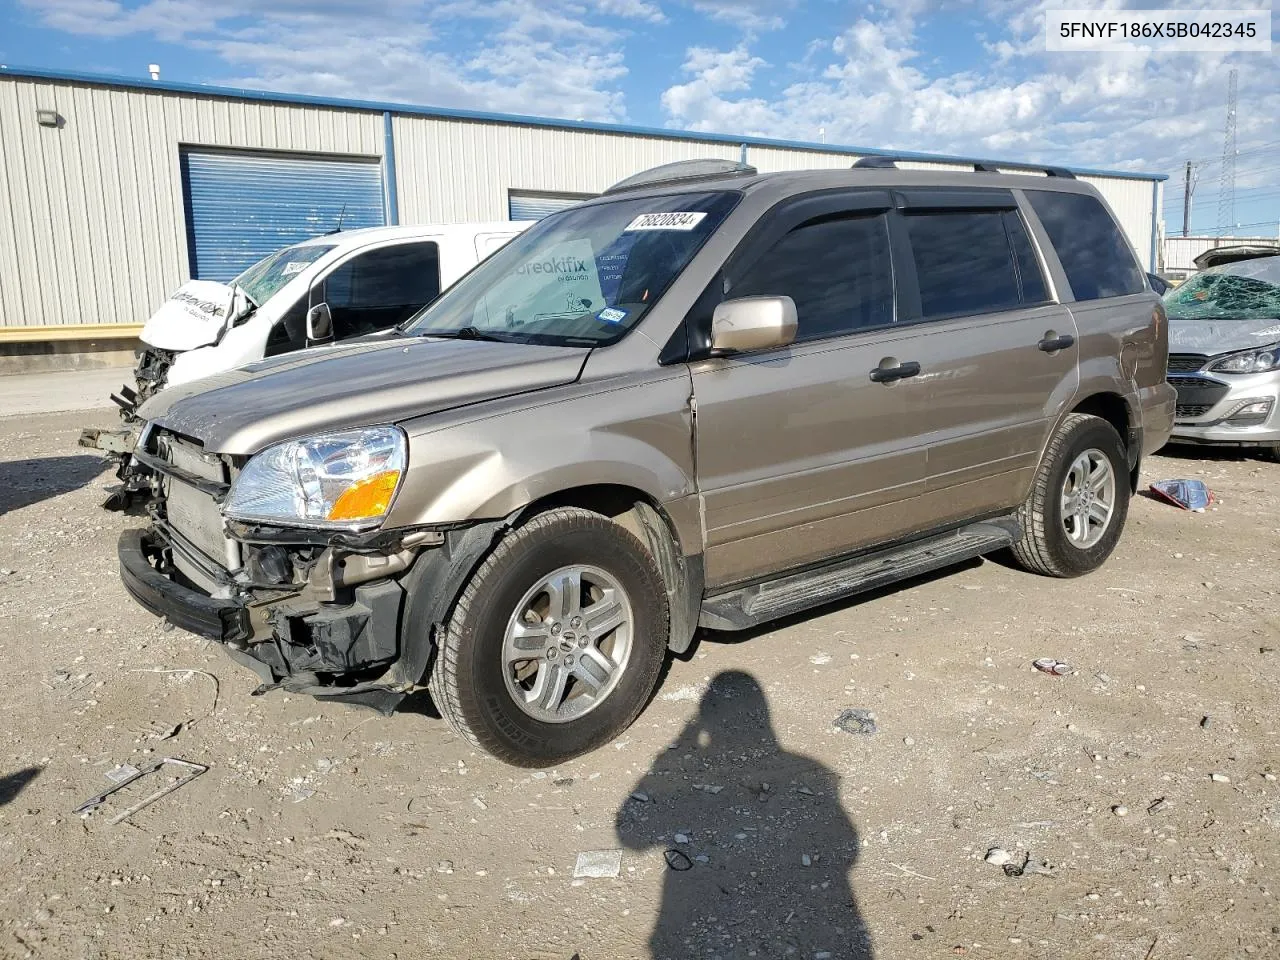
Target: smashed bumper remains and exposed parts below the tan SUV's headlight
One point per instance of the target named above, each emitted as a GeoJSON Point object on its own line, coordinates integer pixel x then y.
{"type": "Point", "coordinates": [367, 643]}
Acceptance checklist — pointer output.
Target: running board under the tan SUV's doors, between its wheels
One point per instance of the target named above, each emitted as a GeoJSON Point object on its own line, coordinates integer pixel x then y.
{"type": "Point", "coordinates": [758, 604]}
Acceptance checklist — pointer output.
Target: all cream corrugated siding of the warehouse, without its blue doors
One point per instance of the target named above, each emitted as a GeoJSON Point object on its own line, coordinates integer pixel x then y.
{"type": "Point", "coordinates": [92, 214]}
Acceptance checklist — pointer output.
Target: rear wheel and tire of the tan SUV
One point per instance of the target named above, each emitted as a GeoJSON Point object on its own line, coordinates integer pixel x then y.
{"type": "Point", "coordinates": [1064, 534]}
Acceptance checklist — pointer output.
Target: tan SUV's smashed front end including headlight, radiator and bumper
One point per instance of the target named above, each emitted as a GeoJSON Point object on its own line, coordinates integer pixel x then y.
{"type": "Point", "coordinates": [312, 606]}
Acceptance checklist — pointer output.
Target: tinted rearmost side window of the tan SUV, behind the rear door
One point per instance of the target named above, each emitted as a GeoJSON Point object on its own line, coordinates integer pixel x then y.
{"type": "Point", "coordinates": [1095, 255]}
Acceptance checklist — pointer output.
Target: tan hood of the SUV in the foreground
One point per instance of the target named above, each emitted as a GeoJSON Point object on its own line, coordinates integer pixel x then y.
{"type": "Point", "coordinates": [356, 385]}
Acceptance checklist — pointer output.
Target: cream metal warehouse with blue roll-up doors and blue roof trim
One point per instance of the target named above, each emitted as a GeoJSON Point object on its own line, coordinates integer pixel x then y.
{"type": "Point", "coordinates": [116, 191]}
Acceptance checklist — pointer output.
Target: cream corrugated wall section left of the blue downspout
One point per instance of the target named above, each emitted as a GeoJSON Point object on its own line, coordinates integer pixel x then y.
{"type": "Point", "coordinates": [92, 214]}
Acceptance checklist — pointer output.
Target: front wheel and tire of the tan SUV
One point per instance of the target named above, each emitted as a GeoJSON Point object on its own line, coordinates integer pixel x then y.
{"type": "Point", "coordinates": [556, 643]}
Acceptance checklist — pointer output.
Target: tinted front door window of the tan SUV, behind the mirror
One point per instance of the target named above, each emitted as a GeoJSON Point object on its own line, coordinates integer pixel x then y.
{"type": "Point", "coordinates": [838, 272]}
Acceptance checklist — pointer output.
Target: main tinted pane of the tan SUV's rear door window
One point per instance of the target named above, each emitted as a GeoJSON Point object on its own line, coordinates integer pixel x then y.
{"type": "Point", "coordinates": [963, 263]}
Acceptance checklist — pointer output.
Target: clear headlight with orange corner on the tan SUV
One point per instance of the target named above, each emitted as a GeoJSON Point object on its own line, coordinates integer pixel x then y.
{"type": "Point", "coordinates": [344, 481]}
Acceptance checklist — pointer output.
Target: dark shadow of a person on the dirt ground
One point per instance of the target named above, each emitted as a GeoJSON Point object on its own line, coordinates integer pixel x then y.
{"type": "Point", "coordinates": [758, 849]}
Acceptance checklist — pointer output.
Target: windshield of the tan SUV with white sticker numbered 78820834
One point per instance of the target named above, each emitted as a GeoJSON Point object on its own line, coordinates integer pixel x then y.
{"type": "Point", "coordinates": [582, 277]}
